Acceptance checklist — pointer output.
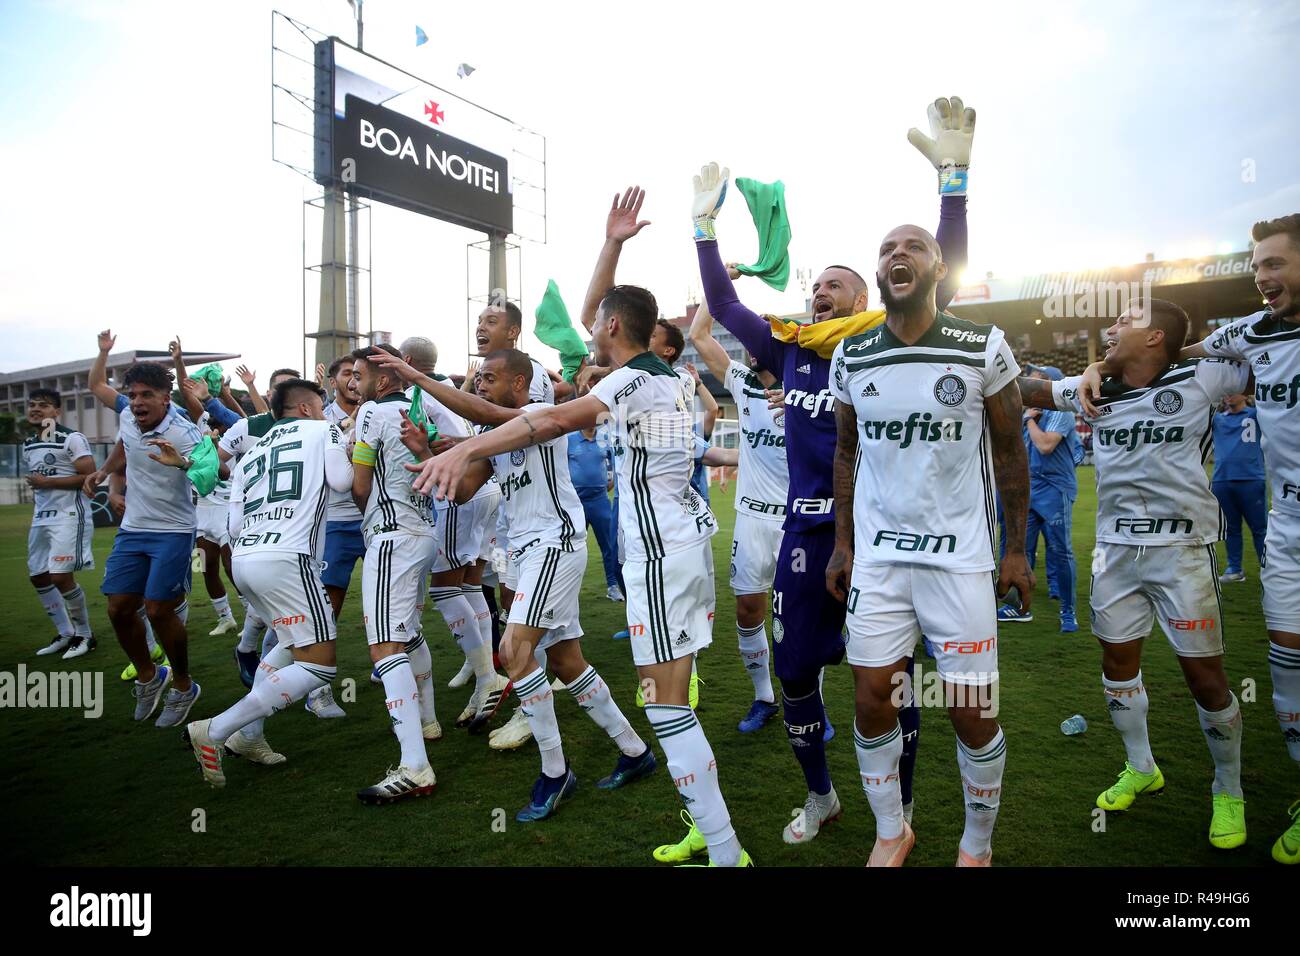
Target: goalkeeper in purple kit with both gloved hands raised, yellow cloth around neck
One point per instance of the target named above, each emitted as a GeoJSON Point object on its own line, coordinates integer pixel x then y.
{"type": "Point", "coordinates": [808, 622]}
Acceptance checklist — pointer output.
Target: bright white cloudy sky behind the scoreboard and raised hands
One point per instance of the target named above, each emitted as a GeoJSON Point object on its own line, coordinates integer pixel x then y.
{"type": "Point", "coordinates": [136, 146]}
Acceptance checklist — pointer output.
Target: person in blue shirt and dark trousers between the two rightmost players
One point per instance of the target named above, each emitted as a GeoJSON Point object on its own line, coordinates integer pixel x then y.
{"type": "Point", "coordinates": [1240, 483]}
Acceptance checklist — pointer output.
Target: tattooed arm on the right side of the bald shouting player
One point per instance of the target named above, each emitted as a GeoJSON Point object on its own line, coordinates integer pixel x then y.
{"type": "Point", "coordinates": [1012, 473]}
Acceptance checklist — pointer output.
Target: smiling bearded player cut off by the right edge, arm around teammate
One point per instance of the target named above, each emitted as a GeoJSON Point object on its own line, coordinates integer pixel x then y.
{"type": "Point", "coordinates": [1269, 341]}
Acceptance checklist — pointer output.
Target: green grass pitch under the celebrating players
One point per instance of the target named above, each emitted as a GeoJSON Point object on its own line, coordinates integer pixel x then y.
{"type": "Point", "coordinates": [114, 793]}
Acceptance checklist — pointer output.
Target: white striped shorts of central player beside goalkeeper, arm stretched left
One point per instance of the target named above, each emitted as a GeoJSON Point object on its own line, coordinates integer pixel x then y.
{"type": "Point", "coordinates": [669, 605]}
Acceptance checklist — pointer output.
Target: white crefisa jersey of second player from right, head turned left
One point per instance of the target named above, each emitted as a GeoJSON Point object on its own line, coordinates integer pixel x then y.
{"type": "Point", "coordinates": [1151, 445]}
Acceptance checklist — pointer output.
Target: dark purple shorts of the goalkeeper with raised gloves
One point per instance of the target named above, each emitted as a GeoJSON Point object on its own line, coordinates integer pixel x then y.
{"type": "Point", "coordinates": [808, 622]}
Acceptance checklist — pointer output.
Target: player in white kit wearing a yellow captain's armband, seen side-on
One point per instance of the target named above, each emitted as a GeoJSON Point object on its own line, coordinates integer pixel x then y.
{"type": "Point", "coordinates": [401, 547]}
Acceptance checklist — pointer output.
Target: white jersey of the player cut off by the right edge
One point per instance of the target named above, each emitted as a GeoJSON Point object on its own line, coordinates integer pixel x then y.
{"type": "Point", "coordinates": [1272, 349]}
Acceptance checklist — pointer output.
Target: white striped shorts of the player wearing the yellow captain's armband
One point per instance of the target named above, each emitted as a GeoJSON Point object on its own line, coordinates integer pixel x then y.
{"type": "Point", "coordinates": [395, 578]}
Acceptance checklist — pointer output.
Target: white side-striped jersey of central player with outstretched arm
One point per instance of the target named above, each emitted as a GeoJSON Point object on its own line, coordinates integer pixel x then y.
{"type": "Point", "coordinates": [660, 513]}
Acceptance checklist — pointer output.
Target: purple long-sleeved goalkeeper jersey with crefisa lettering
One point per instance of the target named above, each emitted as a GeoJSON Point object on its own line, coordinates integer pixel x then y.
{"type": "Point", "coordinates": [811, 431]}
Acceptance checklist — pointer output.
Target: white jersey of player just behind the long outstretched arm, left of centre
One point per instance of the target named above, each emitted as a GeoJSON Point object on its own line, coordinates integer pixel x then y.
{"type": "Point", "coordinates": [538, 496]}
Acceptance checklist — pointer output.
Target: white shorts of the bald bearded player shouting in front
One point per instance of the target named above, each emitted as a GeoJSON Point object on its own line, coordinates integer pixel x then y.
{"type": "Point", "coordinates": [891, 605]}
